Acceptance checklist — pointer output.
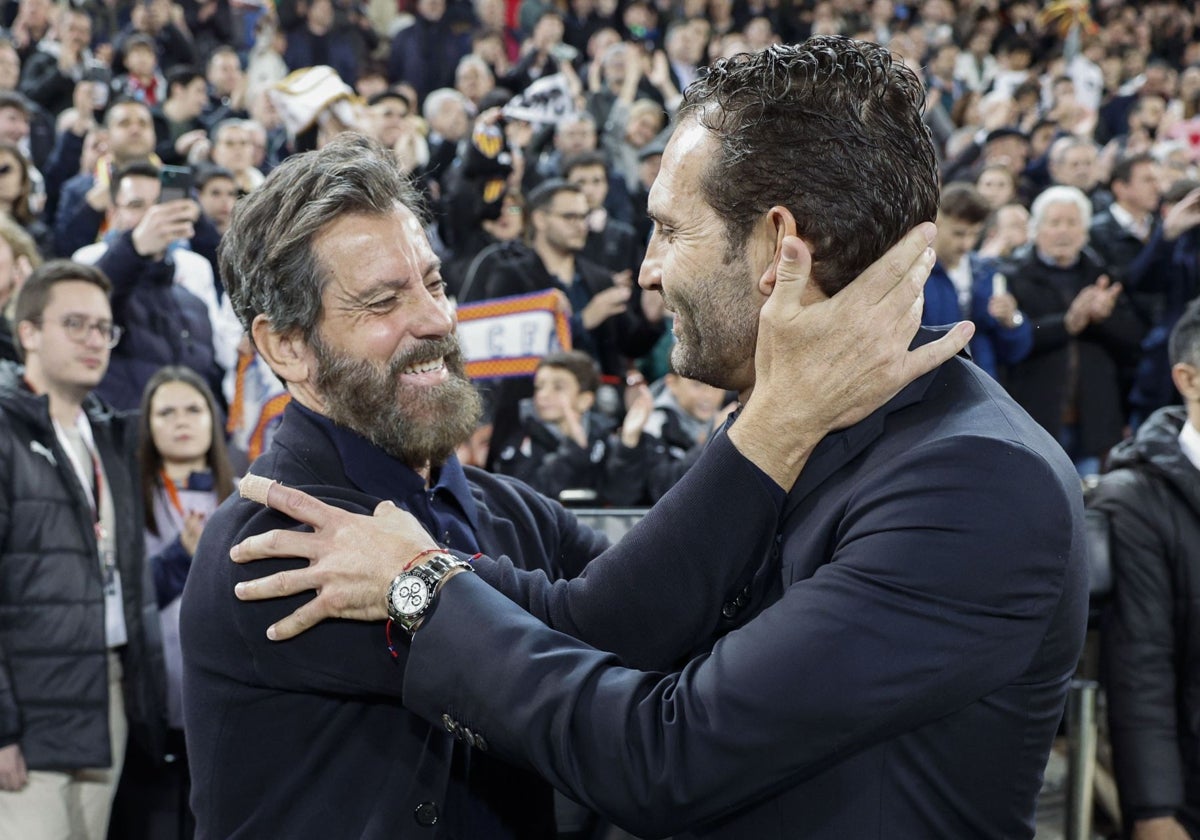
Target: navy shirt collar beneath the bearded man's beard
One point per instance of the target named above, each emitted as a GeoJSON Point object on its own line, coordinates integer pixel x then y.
{"type": "Point", "coordinates": [377, 473]}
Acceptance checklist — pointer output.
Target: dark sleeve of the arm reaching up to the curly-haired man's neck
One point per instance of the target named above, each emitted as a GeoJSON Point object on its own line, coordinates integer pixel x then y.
{"type": "Point", "coordinates": [707, 537]}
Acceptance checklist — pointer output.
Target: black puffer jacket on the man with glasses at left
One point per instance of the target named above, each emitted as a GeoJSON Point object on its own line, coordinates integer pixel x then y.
{"type": "Point", "coordinates": [53, 661]}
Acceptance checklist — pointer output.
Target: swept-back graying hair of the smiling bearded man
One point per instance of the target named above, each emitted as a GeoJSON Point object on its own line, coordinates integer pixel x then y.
{"type": "Point", "coordinates": [267, 257]}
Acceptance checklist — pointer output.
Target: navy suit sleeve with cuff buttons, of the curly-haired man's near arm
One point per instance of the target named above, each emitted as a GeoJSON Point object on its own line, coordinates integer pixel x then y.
{"type": "Point", "coordinates": [926, 608]}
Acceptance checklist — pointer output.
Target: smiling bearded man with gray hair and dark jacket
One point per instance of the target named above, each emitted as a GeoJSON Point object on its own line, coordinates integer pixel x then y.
{"type": "Point", "coordinates": [332, 275]}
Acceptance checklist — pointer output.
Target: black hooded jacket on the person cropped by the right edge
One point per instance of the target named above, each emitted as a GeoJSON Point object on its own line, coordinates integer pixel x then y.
{"type": "Point", "coordinates": [1153, 632]}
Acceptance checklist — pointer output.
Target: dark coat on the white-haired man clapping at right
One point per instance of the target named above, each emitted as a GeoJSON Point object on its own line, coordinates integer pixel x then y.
{"type": "Point", "coordinates": [1106, 352]}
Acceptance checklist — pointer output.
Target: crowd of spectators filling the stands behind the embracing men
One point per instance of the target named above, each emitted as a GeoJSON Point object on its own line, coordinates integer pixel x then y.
{"type": "Point", "coordinates": [1069, 139]}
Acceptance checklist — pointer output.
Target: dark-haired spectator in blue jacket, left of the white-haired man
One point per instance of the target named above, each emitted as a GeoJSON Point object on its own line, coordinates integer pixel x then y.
{"type": "Point", "coordinates": [965, 286]}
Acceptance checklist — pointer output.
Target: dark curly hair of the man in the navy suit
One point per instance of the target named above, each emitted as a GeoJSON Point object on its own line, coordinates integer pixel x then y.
{"type": "Point", "coordinates": [832, 130]}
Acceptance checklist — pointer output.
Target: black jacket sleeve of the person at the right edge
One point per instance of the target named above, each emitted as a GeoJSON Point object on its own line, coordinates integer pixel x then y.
{"type": "Point", "coordinates": [1141, 653]}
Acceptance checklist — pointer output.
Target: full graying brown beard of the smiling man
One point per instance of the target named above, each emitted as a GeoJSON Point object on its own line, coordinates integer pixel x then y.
{"type": "Point", "coordinates": [417, 425]}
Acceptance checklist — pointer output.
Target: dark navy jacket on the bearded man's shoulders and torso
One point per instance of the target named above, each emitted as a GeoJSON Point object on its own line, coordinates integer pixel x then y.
{"type": "Point", "coordinates": [271, 725]}
